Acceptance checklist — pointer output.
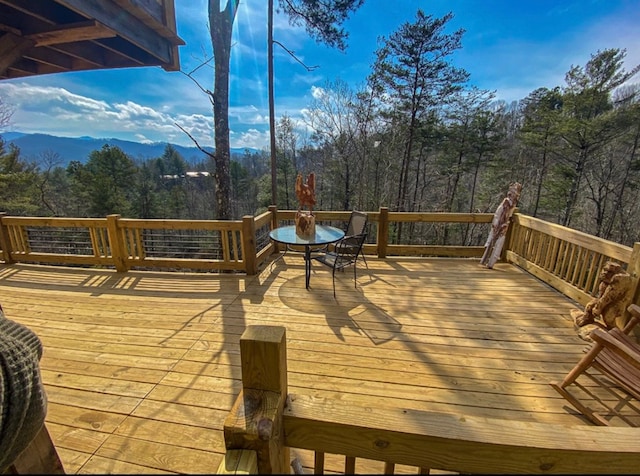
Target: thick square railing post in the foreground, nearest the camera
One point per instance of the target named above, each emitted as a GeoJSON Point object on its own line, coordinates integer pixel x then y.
{"type": "Point", "coordinates": [255, 420]}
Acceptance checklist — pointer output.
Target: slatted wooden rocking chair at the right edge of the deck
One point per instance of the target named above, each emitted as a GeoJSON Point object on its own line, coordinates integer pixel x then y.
{"type": "Point", "coordinates": [616, 356]}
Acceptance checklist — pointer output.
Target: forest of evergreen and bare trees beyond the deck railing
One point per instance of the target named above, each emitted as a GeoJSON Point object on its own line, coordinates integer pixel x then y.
{"type": "Point", "coordinates": [416, 137]}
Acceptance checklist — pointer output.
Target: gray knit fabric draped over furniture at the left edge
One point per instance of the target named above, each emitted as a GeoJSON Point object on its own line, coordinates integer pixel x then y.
{"type": "Point", "coordinates": [23, 401]}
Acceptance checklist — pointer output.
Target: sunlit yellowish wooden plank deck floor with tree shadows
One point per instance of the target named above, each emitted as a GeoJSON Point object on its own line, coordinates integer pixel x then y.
{"type": "Point", "coordinates": [141, 368]}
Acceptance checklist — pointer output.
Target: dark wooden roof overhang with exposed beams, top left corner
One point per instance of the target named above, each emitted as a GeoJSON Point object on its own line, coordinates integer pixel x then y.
{"type": "Point", "coordinates": [55, 36]}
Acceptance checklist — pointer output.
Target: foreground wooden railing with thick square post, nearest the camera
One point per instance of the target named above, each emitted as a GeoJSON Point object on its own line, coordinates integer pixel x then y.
{"type": "Point", "coordinates": [266, 422]}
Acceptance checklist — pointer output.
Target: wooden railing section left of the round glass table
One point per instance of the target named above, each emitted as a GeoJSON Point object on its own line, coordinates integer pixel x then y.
{"type": "Point", "coordinates": [127, 243]}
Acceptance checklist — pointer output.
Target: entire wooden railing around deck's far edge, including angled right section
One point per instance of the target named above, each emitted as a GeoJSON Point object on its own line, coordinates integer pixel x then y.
{"type": "Point", "coordinates": [566, 259]}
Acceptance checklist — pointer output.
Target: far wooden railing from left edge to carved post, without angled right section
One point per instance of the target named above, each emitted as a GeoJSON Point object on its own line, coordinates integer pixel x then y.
{"type": "Point", "coordinates": [236, 245]}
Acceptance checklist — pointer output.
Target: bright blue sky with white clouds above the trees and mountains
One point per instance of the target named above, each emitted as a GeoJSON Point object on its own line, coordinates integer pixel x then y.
{"type": "Point", "coordinates": [509, 47]}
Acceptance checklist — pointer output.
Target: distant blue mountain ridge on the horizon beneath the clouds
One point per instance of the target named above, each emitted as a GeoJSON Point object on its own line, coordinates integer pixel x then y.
{"type": "Point", "coordinates": [33, 147]}
